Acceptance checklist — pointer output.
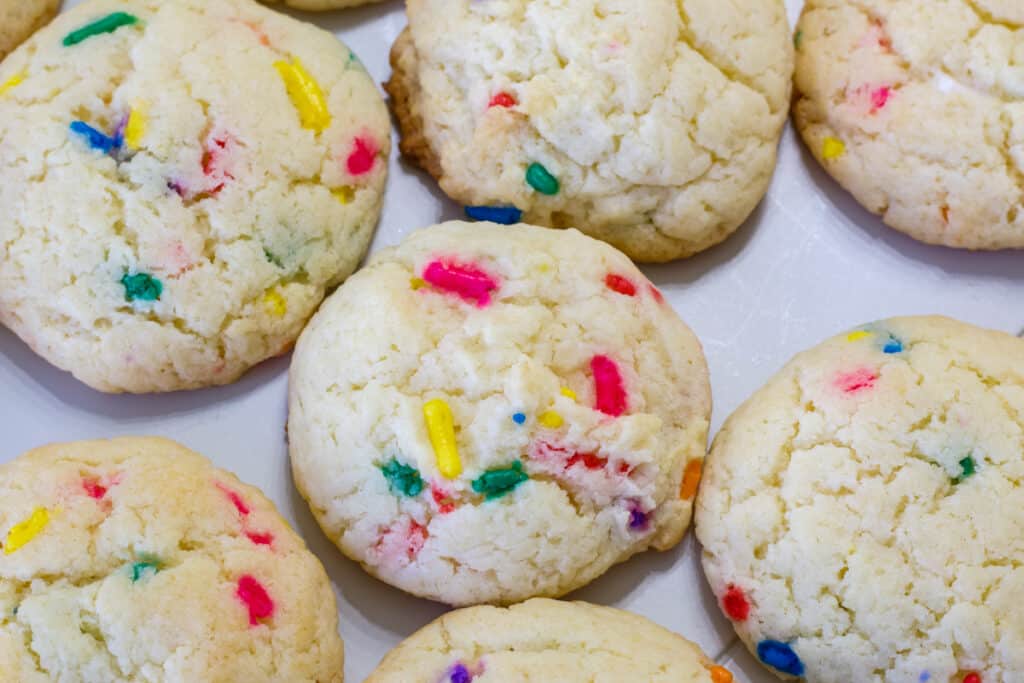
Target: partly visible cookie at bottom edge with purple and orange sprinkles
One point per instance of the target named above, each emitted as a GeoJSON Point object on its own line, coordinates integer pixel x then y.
{"type": "Point", "coordinates": [546, 641]}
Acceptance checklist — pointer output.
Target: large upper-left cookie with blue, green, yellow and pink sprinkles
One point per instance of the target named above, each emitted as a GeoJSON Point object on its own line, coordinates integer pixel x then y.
{"type": "Point", "coordinates": [181, 184]}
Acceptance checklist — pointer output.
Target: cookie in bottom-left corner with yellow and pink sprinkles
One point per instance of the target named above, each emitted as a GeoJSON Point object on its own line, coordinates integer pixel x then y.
{"type": "Point", "coordinates": [137, 560]}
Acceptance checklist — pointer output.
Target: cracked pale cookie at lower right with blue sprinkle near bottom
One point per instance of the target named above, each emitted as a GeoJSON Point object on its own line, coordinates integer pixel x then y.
{"type": "Point", "coordinates": [862, 515]}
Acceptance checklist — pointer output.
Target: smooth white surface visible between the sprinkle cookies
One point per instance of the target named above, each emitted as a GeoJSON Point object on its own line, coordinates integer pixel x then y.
{"type": "Point", "coordinates": [809, 264]}
